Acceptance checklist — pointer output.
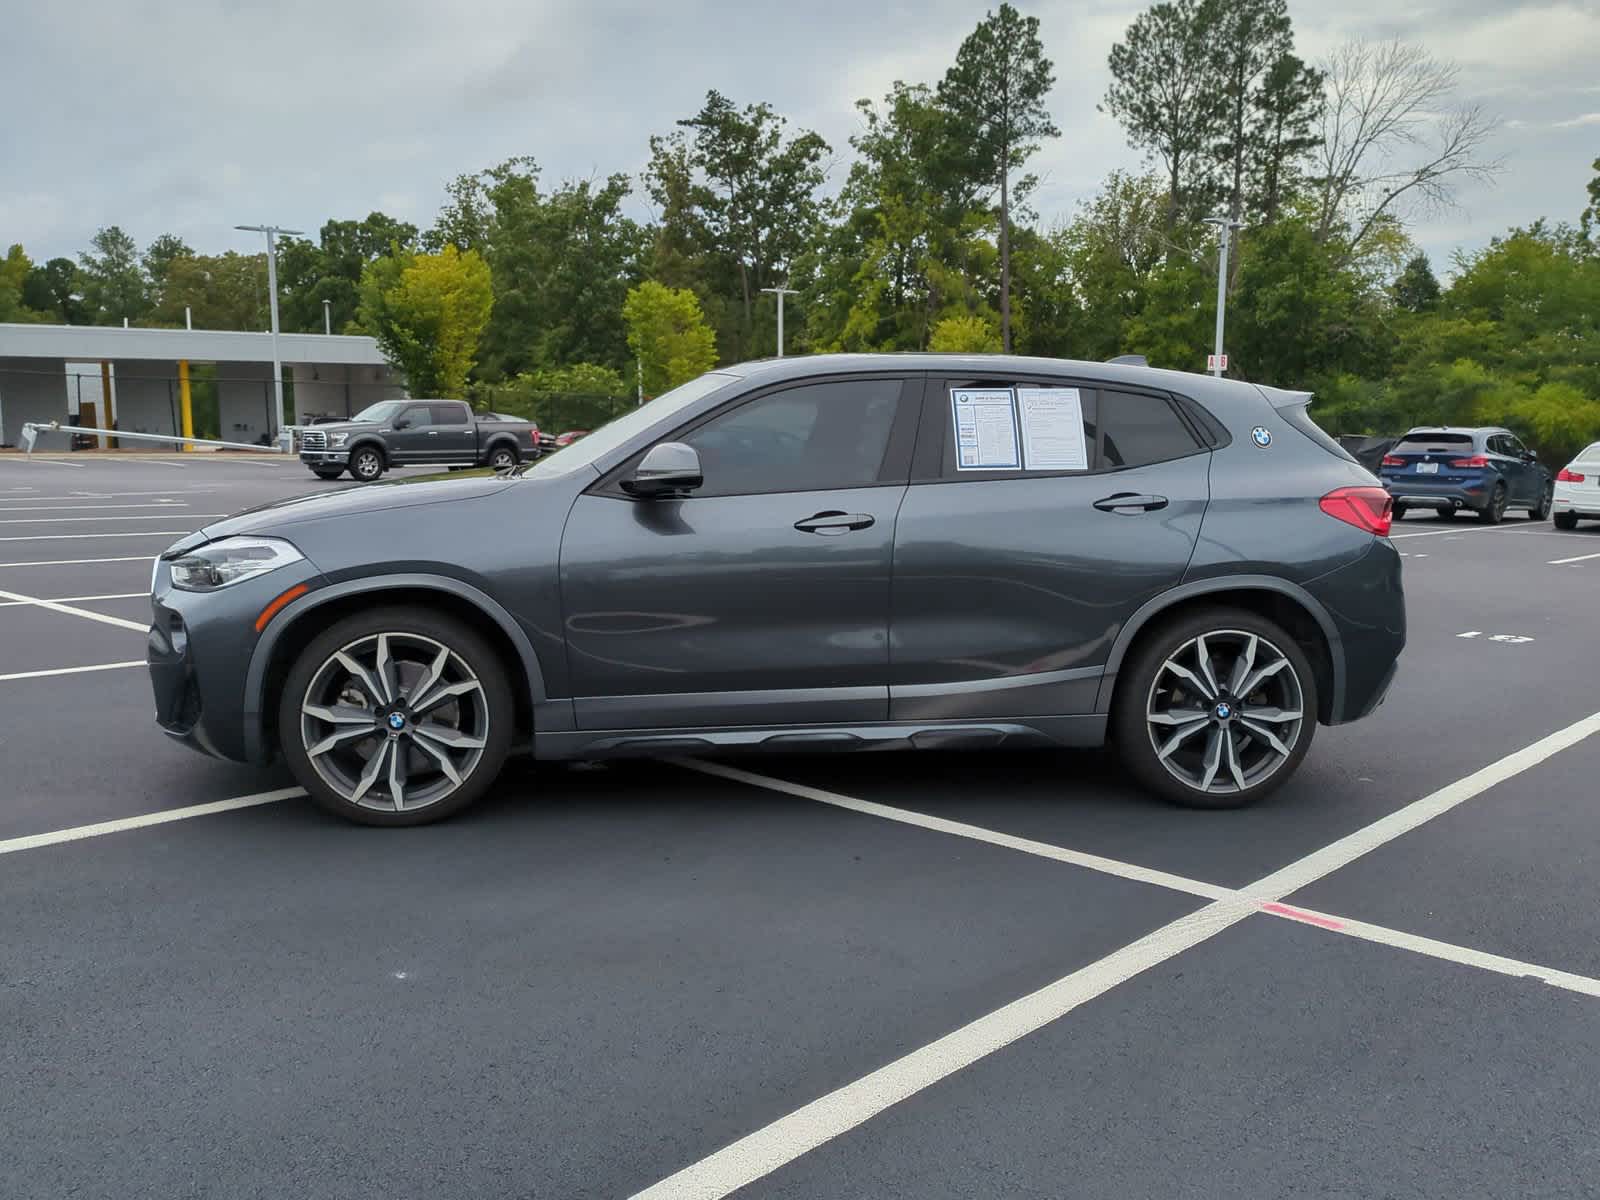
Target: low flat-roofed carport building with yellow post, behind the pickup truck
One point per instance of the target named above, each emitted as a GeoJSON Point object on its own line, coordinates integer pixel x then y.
{"type": "Point", "coordinates": [143, 382]}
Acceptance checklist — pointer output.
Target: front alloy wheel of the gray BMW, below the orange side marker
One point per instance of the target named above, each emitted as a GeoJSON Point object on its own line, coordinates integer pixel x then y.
{"type": "Point", "coordinates": [394, 722]}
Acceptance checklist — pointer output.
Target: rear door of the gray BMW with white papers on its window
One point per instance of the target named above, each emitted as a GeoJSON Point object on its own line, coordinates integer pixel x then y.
{"type": "Point", "coordinates": [1020, 553]}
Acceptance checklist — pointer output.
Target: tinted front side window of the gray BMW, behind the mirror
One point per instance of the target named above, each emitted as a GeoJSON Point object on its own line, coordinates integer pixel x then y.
{"type": "Point", "coordinates": [815, 438]}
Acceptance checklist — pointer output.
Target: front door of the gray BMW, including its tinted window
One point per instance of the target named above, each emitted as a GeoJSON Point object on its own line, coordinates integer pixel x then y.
{"type": "Point", "coordinates": [764, 596]}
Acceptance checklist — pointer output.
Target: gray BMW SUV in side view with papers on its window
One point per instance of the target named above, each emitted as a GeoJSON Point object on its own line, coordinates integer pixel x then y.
{"type": "Point", "coordinates": [831, 553]}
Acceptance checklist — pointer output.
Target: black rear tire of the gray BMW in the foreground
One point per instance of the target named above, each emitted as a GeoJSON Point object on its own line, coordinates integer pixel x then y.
{"type": "Point", "coordinates": [1148, 686]}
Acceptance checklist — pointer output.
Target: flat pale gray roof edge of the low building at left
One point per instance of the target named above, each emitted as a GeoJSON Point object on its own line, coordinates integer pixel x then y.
{"type": "Point", "coordinates": [94, 343]}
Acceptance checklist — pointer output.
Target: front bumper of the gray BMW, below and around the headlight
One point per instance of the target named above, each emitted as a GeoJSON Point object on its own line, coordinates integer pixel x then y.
{"type": "Point", "coordinates": [199, 655]}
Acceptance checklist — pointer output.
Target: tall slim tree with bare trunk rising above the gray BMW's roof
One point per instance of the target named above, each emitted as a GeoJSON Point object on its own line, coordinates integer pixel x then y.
{"type": "Point", "coordinates": [996, 95]}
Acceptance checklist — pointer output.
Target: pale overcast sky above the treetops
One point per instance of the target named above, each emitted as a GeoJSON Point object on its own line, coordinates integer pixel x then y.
{"type": "Point", "coordinates": [193, 116]}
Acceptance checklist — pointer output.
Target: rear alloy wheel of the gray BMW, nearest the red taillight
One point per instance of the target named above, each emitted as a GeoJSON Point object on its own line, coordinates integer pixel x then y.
{"type": "Point", "coordinates": [1225, 711]}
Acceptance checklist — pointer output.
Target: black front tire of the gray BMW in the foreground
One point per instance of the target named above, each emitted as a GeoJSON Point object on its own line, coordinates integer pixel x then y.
{"type": "Point", "coordinates": [482, 716]}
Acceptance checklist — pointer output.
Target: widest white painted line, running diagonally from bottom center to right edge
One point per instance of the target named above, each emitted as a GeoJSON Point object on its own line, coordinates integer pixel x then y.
{"type": "Point", "coordinates": [764, 1151]}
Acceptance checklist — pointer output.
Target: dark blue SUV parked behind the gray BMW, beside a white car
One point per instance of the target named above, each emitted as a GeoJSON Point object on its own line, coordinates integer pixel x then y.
{"type": "Point", "coordinates": [1487, 471]}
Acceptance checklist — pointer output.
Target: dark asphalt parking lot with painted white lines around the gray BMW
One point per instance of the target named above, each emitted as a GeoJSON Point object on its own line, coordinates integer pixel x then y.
{"type": "Point", "coordinates": [860, 977]}
